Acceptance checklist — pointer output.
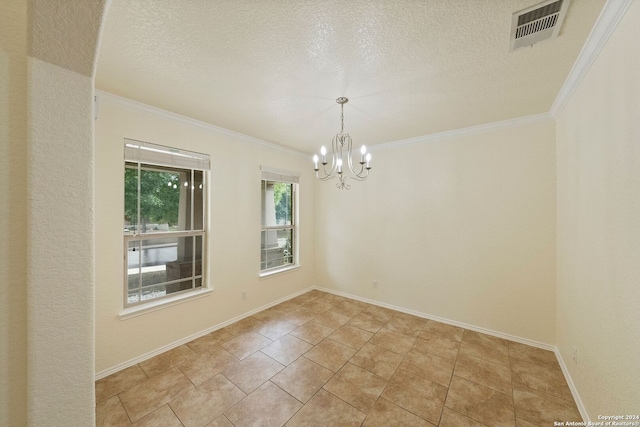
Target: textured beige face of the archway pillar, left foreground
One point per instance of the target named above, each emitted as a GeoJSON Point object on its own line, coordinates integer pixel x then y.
{"type": "Point", "coordinates": [60, 247]}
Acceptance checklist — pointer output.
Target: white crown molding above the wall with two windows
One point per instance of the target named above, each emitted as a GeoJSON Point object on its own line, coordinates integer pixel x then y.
{"type": "Point", "coordinates": [109, 98]}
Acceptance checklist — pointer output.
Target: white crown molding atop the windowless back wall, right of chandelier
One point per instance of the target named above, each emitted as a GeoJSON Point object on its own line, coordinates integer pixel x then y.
{"type": "Point", "coordinates": [472, 130]}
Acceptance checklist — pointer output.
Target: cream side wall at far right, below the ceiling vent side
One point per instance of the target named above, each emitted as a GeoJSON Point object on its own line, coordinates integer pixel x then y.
{"type": "Point", "coordinates": [598, 230]}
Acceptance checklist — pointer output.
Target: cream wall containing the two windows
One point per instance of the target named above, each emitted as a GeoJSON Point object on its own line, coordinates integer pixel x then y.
{"type": "Point", "coordinates": [234, 237]}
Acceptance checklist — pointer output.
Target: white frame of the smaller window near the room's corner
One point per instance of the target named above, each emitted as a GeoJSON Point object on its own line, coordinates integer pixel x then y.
{"type": "Point", "coordinates": [273, 175]}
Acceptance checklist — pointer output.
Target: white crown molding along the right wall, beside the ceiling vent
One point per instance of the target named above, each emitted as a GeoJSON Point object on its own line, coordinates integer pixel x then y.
{"type": "Point", "coordinates": [611, 14]}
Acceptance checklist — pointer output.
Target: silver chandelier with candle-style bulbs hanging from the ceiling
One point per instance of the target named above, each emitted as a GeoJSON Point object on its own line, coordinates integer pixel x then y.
{"type": "Point", "coordinates": [341, 145]}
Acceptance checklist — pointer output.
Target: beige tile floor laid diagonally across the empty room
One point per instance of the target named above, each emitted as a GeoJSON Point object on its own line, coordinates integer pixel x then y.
{"type": "Point", "coordinates": [324, 360]}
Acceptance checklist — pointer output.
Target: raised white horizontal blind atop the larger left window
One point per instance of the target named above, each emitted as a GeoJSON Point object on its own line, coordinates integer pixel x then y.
{"type": "Point", "coordinates": [159, 155]}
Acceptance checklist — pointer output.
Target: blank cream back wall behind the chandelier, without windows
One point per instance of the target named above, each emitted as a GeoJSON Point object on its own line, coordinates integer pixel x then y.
{"type": "Point", "coordinates": [462, 228]}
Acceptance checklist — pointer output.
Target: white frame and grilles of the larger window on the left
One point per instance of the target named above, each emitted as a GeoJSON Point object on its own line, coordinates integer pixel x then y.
{"type": "Point", "coordinates": [146, 156]}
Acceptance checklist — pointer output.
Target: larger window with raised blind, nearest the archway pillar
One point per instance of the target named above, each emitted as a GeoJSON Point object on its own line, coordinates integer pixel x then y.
{"type": "Point", "coordinates": [164, 221]}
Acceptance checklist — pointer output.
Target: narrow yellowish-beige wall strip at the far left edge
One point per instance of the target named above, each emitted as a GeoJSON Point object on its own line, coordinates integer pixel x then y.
{"type": "Point", "coordinates": [13, 213]}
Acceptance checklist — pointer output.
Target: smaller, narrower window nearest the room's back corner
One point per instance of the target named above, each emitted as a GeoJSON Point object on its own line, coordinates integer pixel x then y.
{"type": "Point", "coordinates": [279, 233]}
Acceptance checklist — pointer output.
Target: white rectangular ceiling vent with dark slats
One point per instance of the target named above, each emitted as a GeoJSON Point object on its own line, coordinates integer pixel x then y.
{"type": "Point", "coordinates": [537, 23]}
